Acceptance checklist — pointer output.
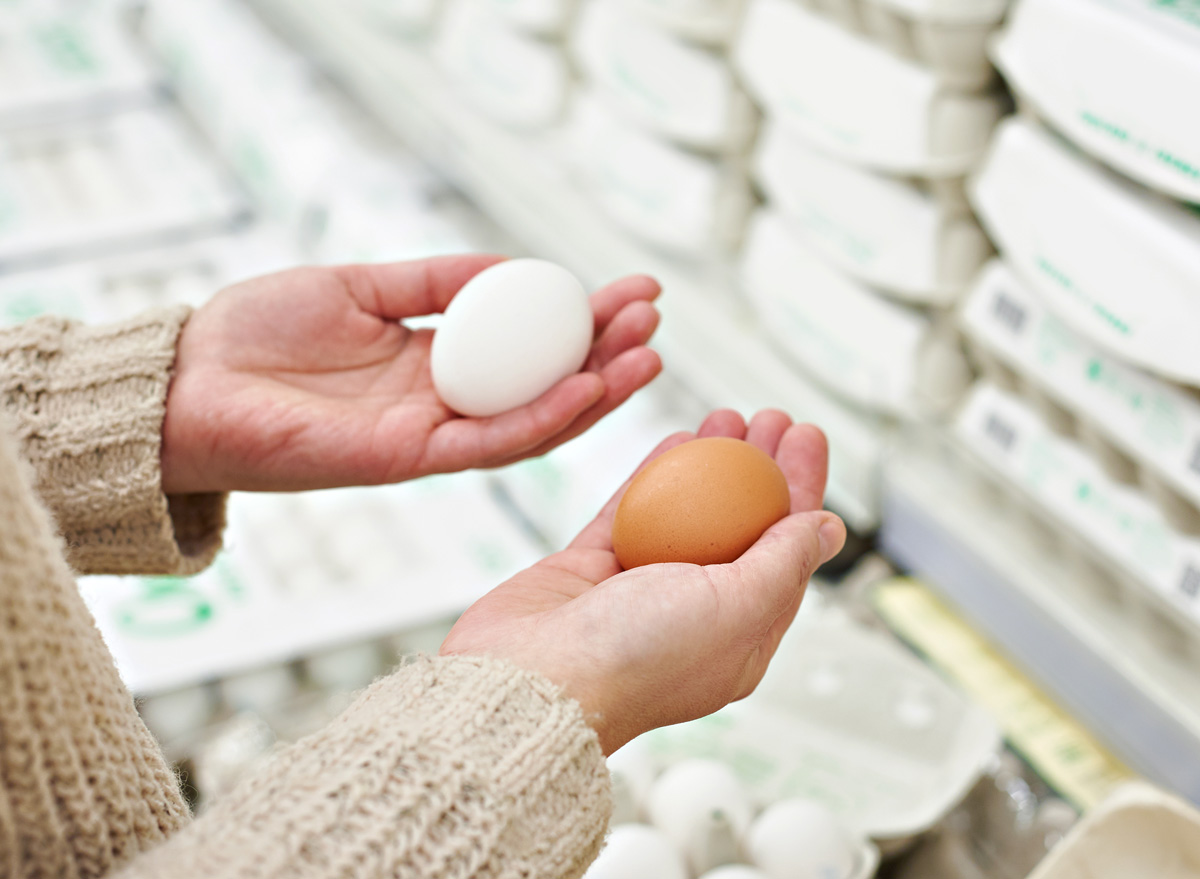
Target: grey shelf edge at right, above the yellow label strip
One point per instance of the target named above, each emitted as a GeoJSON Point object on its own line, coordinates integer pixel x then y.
{"type": "Point", "coordinates": [941, 523]}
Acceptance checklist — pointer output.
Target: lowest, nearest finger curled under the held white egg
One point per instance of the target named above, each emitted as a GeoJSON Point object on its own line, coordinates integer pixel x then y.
{"type": "Point", "coordinates": [473, 443]}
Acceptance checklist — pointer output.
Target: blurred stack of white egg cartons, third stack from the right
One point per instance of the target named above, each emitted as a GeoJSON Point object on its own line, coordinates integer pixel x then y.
{"type": "Point", "coordinates": [661, 130]}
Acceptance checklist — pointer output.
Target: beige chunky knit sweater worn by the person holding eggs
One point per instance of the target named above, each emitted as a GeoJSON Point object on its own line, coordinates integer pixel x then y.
{"type": "Point", "coordinates": [449, 768]}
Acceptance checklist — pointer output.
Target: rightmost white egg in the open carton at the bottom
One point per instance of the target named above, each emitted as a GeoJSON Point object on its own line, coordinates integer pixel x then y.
{"type": "Point", "coordinates": [801, 840]}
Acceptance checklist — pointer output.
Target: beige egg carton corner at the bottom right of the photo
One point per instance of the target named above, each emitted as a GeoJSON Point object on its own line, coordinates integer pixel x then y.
{"type": "Point", "coordinates": [1138, 832]}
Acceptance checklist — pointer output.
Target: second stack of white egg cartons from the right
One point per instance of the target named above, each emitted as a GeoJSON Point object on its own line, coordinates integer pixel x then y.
{"type": "Point", "coordinates": [874, 113]}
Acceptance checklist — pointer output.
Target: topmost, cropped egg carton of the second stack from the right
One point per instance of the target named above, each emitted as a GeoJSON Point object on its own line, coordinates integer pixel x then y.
{"type": "Point", "coordinates": [950, 39]}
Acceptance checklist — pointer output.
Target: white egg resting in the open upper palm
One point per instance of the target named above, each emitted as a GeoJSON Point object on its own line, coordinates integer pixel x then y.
{"type": "Point", "coordinates": [509, 336]}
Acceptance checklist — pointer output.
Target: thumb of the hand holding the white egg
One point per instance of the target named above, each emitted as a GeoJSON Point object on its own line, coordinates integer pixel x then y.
{"type": "Point", "coordinates": [394, 291]}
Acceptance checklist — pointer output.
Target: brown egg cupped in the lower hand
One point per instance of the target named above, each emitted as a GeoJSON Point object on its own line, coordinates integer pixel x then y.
{"type": "Point", "coordinates": [704, 503]}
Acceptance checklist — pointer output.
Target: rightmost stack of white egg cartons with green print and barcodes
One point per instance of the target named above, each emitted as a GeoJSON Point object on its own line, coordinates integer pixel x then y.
{"type": "Point", "coordinates": [1088, 328]}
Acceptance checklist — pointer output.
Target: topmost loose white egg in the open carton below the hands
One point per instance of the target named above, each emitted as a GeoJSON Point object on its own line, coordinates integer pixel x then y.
{"type": "Point", "coordinates": [704, 810]}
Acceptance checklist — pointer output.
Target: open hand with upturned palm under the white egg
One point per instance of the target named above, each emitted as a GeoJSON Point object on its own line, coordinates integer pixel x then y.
{"type": "Point", "coordinates": [308, 380]}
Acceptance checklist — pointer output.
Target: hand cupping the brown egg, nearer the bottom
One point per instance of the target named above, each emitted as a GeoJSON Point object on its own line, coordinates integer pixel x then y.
{"type": "Point", "coordinates": [665, 643]}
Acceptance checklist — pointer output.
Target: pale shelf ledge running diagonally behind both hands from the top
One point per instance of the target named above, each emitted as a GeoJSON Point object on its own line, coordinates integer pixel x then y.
{"type": "Point", "coordinates": [709, 339]}
